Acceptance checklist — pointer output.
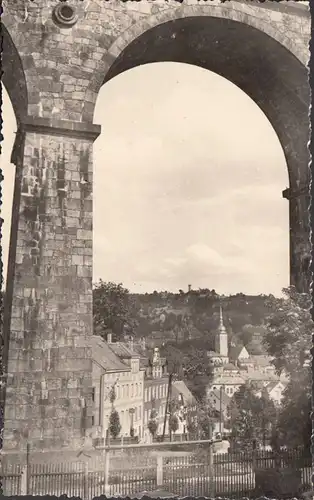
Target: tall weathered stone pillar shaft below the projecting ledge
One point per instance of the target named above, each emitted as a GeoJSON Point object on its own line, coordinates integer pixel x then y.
{"type": "Point", "coordinates": [49, 368]}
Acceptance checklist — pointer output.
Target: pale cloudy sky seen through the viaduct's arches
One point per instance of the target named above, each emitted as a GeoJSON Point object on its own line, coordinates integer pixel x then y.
{"type": "Point", "coordinates": [185, 190]}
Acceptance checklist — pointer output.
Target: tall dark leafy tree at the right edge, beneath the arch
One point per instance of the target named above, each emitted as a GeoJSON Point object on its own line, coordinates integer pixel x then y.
{"type": "Point", "coordinates": [288, 340]}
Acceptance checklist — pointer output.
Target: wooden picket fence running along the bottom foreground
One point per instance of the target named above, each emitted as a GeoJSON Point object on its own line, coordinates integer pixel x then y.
{"type": "Point", "coordinates": [195, 474]}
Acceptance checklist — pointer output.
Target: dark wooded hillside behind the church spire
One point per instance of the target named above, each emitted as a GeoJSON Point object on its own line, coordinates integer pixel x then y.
{"type": "Point", "coordinates": [168, 317]}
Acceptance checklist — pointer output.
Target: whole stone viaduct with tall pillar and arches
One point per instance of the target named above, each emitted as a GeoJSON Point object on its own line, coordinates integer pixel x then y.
{"type": "Point", "coordinates": [263, 49]}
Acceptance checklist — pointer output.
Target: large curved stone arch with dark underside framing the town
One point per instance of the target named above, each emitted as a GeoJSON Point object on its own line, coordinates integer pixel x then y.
{"type": "Point", "coordinates": [247, 52]}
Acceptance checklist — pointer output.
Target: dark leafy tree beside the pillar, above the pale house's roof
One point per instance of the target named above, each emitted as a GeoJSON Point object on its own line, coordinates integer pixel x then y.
{"type": "Point", "coordinates": [113, 309]}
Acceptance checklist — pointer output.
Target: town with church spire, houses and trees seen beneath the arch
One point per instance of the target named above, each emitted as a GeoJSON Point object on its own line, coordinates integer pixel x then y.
{"type": "Point", "coordinates": [165, 364]}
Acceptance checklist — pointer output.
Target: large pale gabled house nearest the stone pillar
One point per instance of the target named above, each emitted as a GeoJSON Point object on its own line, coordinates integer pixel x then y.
{"type": "Point", "coordinates": [116, 368]}
